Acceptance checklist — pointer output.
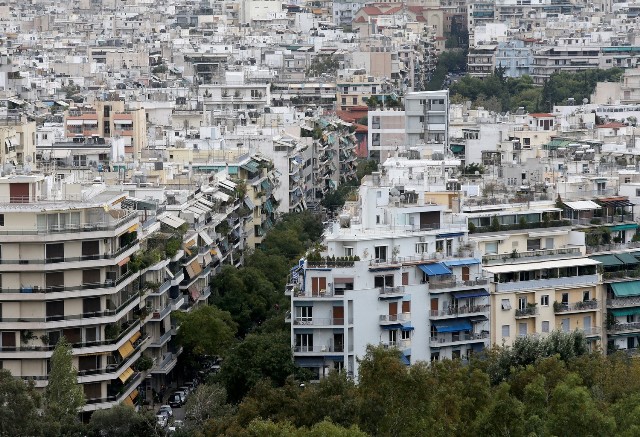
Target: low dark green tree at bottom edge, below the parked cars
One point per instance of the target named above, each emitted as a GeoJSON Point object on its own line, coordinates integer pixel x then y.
{"type": "Point", "coordinates": [123, 420]}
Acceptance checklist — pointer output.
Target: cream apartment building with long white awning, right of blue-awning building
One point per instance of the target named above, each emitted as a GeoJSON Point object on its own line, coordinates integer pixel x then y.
{"type": "Point", "coordinates": [539, 280]}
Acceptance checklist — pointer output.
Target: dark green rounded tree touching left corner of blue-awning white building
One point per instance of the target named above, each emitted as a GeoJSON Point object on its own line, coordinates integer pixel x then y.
{"type": "Point", "coordinates": [259, 356]}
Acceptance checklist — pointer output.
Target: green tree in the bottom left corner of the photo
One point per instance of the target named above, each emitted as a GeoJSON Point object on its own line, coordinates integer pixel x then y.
{"type": "Point", "coordinates": [19, 403]}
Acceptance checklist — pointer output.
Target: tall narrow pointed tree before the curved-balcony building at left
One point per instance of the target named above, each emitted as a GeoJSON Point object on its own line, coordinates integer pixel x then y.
{"type": "Point", "coordinates": [63, 395]}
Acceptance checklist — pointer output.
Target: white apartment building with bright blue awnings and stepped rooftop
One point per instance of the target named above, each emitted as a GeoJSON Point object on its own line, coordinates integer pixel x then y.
{"type": "Point", "coordinates": [396, 271]}
